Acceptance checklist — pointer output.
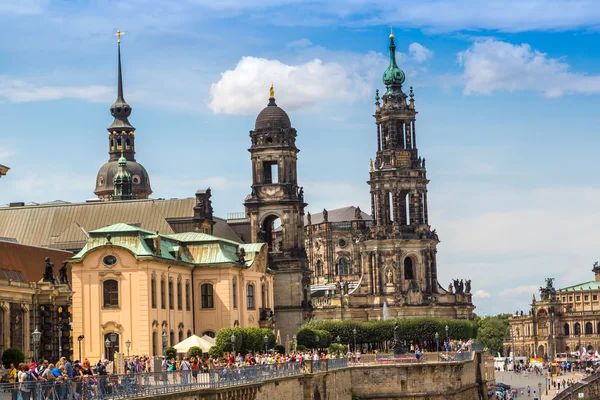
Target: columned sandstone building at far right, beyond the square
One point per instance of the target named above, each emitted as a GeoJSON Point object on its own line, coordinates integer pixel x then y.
{"type": "Point", "coordinates": [563, 320]}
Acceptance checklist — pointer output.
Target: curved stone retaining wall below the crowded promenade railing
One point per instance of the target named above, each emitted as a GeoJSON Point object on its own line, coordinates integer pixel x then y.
{"type": "Point", "coordinates": [425, 381]}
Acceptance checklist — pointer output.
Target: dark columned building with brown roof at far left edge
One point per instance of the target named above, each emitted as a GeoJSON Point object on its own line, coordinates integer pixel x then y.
{"type": "Point", "coordinates": [28, 303]}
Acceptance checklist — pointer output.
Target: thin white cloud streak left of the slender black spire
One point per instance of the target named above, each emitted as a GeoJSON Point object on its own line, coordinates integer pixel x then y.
{"type": "Point", "coordinates": [19, 91]}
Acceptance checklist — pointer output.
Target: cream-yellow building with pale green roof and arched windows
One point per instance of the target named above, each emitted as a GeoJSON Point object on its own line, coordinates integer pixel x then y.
{"type": "Point", "coordinates": [134, 286]}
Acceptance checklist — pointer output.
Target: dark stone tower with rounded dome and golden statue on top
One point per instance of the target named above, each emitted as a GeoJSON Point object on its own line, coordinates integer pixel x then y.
{"type": "Point", "coordinates": [276, 212]}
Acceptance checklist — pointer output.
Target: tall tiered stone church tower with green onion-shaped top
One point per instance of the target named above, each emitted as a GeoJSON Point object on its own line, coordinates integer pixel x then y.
{"type": "Point", "coordinates": [402, 251]}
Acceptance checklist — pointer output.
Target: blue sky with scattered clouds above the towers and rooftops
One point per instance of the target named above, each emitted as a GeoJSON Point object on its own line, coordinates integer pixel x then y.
{"type": "Point", "coordinates": [508, 94]}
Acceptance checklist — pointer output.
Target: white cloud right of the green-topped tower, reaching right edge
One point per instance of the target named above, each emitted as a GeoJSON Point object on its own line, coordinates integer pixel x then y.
{"type": "Point", "coordinates": [493, 65]}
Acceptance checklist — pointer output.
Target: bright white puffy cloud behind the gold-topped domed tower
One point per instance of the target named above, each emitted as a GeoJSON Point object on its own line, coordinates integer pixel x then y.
{"type": "Point", "coordinates": [244, 90]}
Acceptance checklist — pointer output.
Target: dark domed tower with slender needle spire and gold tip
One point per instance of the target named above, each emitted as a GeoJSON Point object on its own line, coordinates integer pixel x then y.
{"type": "Point", "coordinates": [121, 143]}
